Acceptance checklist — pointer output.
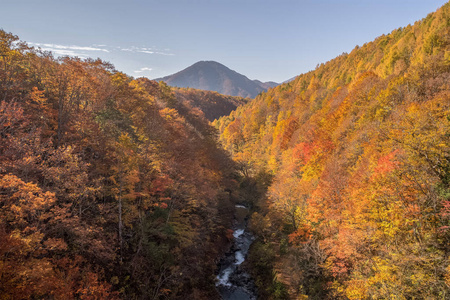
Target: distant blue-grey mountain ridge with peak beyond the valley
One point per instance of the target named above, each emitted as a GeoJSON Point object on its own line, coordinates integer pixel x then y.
{"type": "Point", "coordinates": [213, 76]}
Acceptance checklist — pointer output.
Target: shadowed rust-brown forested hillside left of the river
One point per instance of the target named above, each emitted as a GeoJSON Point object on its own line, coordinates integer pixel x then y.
{"type": "Point", "coordinates": [109, 187]}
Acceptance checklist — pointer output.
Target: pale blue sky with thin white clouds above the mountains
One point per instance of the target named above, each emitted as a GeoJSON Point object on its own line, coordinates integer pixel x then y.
{"type": "Point", "coordinates": [268, 40]}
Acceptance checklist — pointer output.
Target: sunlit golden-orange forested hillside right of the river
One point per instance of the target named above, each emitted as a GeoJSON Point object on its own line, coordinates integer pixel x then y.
{"type": "Point", "coordinates": [356, 159]}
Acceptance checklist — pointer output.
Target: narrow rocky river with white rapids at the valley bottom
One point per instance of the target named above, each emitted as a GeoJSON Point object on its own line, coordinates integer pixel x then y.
{"type": "Point", "coordinates": [233, 282]}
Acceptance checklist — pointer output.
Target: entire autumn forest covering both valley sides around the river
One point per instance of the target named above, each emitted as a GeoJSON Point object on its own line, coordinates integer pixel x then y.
{"type": "Point", "coordinates": [114, 187]}
